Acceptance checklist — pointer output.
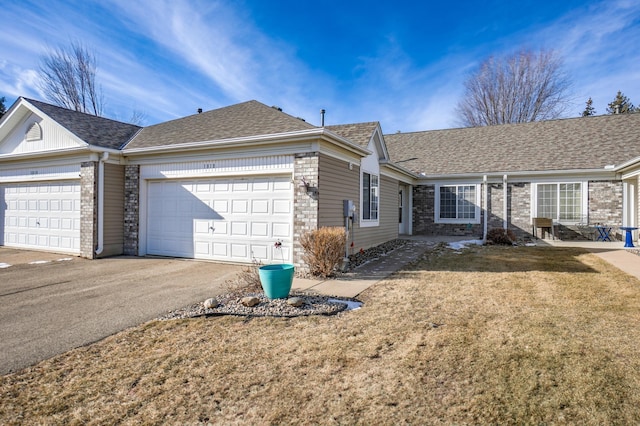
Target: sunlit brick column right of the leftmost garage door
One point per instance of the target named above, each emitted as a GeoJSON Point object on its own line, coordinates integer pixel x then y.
{"type": "Point", "coordinates": [88, 209]}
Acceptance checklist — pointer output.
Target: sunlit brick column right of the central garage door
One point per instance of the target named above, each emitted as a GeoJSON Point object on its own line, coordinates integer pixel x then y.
{"type": "Point", "coordinates": [305, 204]}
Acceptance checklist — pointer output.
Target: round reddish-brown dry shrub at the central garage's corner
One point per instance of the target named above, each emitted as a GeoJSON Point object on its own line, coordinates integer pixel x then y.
{"type": "Point", "coordinates": [324, 249]}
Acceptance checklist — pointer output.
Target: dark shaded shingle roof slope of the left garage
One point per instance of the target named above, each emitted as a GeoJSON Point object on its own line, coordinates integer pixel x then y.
{"type": "Point", "coordinates": [94, 130]}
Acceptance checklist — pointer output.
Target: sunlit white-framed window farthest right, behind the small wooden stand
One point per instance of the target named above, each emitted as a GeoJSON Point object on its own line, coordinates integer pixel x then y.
{"type": "Point", "coordinates": [562, 202]}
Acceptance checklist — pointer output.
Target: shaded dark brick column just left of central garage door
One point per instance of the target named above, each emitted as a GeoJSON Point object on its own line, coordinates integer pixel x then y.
{"type": "Point", "coordinates": [131, 209]}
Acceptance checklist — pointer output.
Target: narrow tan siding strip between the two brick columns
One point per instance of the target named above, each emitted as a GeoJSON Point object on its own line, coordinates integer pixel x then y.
{"type": "Point", "coordinates": [113, 210]}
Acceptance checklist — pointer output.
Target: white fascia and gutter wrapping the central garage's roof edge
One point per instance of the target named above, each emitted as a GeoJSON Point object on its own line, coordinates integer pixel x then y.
{"type": "Point", "coordinates": [247, 141]}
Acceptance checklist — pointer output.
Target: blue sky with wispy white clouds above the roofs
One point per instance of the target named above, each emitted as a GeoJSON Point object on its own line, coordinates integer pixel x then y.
{"type": "Point", "coordinates": [402, 63]}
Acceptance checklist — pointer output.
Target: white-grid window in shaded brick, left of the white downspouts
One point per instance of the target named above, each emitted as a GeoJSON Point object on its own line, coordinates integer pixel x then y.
{"type": "Point", "coordinates": [457, 204]}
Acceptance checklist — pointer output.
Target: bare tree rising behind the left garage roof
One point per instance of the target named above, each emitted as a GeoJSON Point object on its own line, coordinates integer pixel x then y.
{"type": "Point", "coordinates": [68, 79]}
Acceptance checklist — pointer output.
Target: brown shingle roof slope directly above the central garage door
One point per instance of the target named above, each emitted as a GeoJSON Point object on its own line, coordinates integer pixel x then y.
{"type": "Point", "coordinates": [250, 118]}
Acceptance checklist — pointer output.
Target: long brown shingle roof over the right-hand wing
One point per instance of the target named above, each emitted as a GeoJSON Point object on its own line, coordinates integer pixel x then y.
{"type": "Point", "coordinates": [566, 144]}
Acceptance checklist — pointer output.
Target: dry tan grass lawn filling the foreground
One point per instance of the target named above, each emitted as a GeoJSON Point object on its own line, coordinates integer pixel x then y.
{"type": "Point", "coordinates": [493, 335]}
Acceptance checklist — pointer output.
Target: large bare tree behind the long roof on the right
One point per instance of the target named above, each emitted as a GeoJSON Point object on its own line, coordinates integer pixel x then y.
{"type": "Point", "coordinates": [518, 88]}
